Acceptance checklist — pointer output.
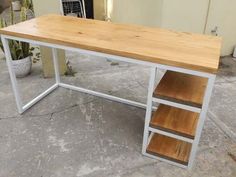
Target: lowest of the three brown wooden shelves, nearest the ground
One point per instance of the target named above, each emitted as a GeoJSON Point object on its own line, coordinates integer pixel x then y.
{"type": "Point", "coordinates": [169, 148]}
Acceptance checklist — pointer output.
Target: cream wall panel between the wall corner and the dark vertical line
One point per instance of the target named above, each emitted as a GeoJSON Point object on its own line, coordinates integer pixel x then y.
{"type": "Point", "coordinates": [185, 15]}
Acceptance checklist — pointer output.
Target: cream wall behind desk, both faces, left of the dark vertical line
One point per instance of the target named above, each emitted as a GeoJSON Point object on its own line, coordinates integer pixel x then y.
{"type": "Point", "coordinates": [182, 15]}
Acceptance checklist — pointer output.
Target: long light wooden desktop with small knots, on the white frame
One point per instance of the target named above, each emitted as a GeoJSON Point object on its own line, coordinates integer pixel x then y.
{"type": "Point", "coordinates": [185, 50]}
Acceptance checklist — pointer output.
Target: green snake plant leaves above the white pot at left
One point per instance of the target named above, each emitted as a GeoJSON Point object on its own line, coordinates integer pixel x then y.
{"type": "Point", "coordinates": [19, 50]}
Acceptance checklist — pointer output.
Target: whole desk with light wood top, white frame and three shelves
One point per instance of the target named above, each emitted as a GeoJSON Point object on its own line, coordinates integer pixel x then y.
{"type": "Point", "coordinates": [173, 131]}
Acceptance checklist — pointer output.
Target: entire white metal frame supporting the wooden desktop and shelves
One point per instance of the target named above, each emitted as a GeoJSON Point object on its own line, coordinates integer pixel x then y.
{"type": "Point", "coordinates": [149, 106]}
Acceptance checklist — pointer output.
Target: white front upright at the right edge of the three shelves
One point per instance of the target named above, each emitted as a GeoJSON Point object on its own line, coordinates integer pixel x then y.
{"type": "Point", "coordinates": [202, 118]}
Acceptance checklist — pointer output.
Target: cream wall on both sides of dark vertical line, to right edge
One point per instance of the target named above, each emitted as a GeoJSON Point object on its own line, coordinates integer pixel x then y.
{"type": "Point", "coordinates": [191, 16]}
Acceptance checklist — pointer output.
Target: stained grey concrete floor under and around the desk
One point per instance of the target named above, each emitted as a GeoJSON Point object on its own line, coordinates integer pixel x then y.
{"type": "Point", "coordinates": [71, 134]}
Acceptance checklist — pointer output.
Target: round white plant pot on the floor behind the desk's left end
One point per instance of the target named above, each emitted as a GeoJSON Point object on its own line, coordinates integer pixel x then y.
{"type": "Point", "coordinates": [22, 67]}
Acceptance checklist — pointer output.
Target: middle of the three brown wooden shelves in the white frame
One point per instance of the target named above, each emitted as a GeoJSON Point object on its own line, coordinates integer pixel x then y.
{"type": "Point", "coordinates": [175, 120]}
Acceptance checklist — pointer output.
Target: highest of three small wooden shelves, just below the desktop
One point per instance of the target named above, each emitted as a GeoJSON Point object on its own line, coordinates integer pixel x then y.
{"type": "Point", "coordinates": [181, 88]}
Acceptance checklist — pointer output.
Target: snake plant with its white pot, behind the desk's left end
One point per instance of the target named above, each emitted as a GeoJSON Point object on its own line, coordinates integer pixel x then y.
{"type": "Point", "coordinates": [21, 52]}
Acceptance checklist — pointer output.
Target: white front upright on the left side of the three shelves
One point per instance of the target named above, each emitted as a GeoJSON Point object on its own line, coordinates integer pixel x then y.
{"type": "Point", "coordinates": [148, 109]}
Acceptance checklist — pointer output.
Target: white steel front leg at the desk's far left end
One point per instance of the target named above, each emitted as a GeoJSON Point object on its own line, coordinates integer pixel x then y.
{"type": "Point", "coordinates": [15, 87]}
